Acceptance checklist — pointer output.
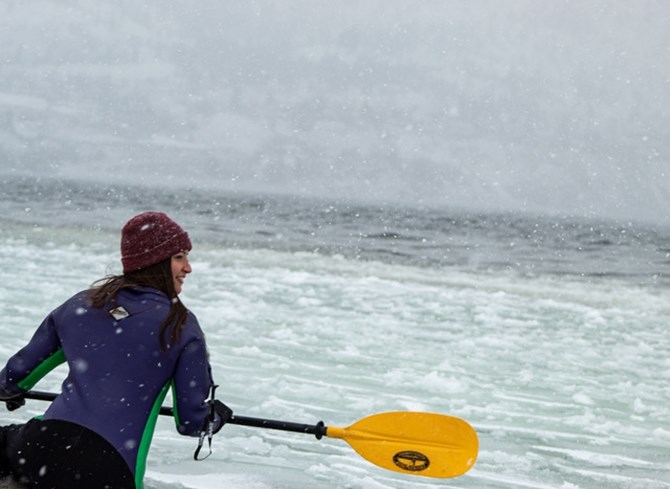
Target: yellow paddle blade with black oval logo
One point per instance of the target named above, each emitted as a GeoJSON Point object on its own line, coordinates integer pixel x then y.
{"type": "Point", "coordinates": [428, 444]}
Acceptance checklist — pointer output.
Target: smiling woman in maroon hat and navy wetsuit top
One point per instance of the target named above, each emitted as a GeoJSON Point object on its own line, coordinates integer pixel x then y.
{"type": "Point", "coordinates": [127, 341]}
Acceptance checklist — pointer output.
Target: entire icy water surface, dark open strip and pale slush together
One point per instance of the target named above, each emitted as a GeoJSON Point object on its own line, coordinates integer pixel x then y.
{"type": "Point", "coordinates": [549, 336]}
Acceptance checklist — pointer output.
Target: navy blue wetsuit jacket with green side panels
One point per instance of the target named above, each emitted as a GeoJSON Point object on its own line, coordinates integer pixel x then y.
{"type": "Point", "coordinates": [118, 374]}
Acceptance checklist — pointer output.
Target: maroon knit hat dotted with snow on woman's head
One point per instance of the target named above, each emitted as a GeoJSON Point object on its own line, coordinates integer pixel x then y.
{"type": "Point", "coordinates": [149, 238]}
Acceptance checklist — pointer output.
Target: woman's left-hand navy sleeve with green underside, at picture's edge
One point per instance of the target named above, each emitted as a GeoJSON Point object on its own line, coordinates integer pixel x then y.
{"type": "Point", "coordinates": [42, 354]}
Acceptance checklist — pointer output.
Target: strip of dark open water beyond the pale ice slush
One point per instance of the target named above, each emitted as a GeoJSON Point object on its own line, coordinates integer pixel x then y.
{"type": "Point", "coordinates": [426, 237]}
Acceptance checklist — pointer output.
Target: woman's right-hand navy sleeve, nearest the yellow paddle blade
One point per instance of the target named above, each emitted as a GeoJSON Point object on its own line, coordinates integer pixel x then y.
{"type": "Point", "coordinates": [192, 383]}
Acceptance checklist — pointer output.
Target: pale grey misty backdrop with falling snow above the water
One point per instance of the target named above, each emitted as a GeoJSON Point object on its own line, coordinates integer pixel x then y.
{"type": "Point", "coordinates": [556, 107]}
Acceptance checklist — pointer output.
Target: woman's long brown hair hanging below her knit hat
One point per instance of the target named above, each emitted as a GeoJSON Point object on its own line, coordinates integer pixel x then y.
{"type": "Point", "coordinates": [158, 276]}
